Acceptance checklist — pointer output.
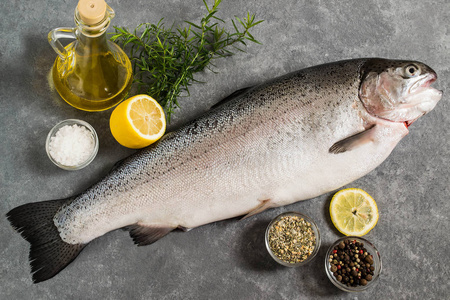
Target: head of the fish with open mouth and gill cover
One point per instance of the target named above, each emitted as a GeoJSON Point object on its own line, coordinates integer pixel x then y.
{"type": "Point", "coordinates": [398, 91]}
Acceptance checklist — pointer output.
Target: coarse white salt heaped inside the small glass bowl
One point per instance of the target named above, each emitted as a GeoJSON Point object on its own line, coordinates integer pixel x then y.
{"type": "Point", "coordinates": [72, 145]}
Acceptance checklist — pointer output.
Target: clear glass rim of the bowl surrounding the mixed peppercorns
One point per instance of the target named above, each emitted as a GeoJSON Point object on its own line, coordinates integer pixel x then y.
{"type": "Point", "coordinates": [376, 263]}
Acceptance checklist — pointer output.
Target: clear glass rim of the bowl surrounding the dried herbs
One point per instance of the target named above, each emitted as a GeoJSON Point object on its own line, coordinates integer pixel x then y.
{"type": "Point", "coordinates": [316, 233]}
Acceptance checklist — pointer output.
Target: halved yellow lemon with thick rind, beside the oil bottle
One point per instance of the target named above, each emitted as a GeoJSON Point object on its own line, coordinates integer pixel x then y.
{"type": "Point", "coordinates": [138, 122]}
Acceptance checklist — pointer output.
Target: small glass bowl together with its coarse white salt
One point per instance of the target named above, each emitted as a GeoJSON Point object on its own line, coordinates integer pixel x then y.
{"type": "Point", "coordinates": [72, 144]}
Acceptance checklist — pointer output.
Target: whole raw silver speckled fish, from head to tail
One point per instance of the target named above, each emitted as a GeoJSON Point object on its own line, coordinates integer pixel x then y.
{"type": "Point", "coordinates": [290, 139]}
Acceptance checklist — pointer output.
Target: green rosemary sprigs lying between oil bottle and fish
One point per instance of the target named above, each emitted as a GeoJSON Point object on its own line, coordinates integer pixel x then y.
{"type": "Point", "coordinates": [165, 60]}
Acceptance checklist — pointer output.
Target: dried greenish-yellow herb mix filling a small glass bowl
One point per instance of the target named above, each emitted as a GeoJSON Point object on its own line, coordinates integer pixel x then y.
{"type": "Point", "coordinates": [292, 239]}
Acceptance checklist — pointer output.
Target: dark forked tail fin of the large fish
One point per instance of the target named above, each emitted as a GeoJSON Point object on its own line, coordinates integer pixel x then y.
{"type": "Point", "coordinates": [49, 254]}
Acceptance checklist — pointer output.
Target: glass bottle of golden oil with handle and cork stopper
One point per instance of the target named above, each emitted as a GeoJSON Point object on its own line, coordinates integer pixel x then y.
{"type": "Point", "coordinates": [91, 73]}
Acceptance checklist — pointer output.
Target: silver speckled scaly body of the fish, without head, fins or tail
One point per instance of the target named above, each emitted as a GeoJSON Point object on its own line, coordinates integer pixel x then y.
{"type": "Point", "coordinates": [254, 148]}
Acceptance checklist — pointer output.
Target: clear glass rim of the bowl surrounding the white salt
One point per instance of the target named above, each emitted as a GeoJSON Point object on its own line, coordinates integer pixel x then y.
{"type": "Point", "coordinates": [70, 122]}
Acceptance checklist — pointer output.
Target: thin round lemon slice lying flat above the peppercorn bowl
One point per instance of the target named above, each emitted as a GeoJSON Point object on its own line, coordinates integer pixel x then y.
{"type": "Point", "coordinates": [353, 212]}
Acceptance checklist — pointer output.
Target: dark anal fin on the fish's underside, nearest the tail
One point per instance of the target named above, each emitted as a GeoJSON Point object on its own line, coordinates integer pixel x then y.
{"type": "Point", "coordinates": [147, 234]}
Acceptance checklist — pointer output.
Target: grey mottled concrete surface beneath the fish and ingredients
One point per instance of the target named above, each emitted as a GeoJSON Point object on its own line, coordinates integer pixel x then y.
{"type": "Point", "coordinates": [227, 260]}
